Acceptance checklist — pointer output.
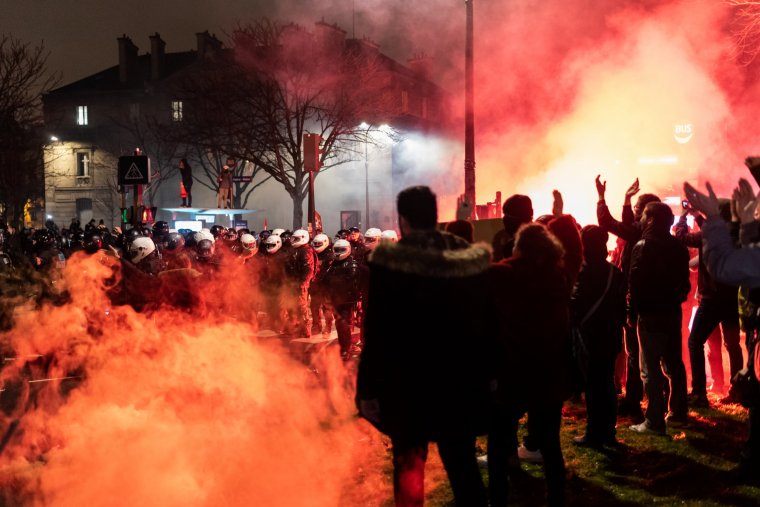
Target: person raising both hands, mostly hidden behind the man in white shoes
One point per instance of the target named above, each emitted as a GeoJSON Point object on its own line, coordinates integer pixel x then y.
{"type": "Point", "coordinates": [629, 230]}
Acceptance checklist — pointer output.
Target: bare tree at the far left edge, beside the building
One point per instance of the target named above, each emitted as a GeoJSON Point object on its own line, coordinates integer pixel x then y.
{"type": "Point", "coordinates": [23, 80]}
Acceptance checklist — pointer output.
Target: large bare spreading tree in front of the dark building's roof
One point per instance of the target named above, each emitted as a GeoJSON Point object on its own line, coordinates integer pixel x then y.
{"type": "Point", "coordinates": [278, 83]}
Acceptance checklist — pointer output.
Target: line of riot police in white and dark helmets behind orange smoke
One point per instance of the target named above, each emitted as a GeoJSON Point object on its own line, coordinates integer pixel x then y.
{"type": "Point", "coordinates": [302, 286]}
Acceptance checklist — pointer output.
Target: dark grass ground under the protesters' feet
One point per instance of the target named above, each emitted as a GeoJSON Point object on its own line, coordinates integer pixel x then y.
{"type": "Point", "coordinates": [691, 466]}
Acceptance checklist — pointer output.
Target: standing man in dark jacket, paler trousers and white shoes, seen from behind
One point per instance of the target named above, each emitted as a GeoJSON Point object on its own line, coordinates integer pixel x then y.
{"type": "Point", "coordinates": [658, 284]}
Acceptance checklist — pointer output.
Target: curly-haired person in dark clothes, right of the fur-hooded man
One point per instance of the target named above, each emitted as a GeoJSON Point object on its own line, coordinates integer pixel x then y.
{"type": "Point", "coordinates": [530, 293]}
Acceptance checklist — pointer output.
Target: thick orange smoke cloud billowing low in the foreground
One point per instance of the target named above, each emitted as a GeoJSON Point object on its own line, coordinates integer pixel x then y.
{"type": "Point", "coordinates": [177, 408]}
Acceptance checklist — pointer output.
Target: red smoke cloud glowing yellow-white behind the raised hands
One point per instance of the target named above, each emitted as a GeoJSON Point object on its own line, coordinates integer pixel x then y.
{"type": "Point", "coordinates": [568, 90]}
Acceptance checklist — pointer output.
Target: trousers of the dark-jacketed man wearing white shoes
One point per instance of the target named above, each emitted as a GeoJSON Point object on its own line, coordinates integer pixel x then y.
{"type": "Point", "coordinates": [660, 340]}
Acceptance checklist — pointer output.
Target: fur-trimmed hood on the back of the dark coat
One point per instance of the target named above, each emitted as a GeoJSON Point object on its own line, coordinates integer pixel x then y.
{"type": "Point", "coordinates": [435, 254]}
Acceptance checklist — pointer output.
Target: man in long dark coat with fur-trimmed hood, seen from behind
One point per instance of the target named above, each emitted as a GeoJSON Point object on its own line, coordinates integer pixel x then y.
{"type": "Point", "coordinates": [423, 381]}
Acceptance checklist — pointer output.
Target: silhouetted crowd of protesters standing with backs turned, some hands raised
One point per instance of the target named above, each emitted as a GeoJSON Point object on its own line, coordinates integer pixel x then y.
{"type": "Point", "coordinates": [520, 330]}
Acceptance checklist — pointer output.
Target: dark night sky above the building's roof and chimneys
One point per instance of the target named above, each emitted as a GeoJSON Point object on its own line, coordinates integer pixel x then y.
{"type": "Point", "coordinates": [81, 34]}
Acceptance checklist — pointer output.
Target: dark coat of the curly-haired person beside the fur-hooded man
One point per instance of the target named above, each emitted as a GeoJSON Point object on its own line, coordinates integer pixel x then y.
{"type": "Point", "coordinates": [533, 322]}
